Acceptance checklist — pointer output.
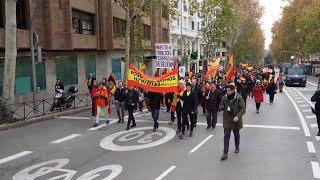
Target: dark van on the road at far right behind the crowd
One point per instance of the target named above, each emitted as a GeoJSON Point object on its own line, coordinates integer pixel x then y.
{"type": "Point", "coordinates": [295, 76]}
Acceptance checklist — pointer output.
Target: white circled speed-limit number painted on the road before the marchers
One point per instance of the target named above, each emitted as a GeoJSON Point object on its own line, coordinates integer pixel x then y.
{"type": "Point", "coordinates": [136, 139]}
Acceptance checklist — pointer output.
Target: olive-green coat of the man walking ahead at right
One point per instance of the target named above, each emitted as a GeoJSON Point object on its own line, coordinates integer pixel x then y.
{"type": "Point", "coordinates": [236, 107]}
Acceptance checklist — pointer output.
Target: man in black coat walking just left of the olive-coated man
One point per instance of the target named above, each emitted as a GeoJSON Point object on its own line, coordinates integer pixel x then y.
{"type": "Point", "coordinates": [212, 101]}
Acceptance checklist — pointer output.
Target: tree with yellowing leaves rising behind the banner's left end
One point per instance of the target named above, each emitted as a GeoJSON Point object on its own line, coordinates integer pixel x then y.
{"type": "Point", "coordinates": [135, 10]}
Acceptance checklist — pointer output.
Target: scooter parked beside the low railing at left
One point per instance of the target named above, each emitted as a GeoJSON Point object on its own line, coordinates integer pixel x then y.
{"type": "Point", "coordinates": [64, 100]}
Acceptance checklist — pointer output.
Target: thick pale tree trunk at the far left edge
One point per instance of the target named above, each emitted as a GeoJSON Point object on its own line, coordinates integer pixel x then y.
{"type": "Point", "coordinates": [10, 59]}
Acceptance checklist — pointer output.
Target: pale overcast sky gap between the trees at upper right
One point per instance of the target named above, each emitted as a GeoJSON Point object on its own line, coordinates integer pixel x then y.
{"type": "Point", "coordinates": [272, 13]}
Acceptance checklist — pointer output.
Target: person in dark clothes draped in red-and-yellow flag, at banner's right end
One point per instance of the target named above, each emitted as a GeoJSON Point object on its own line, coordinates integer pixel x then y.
{"type": "Point", "coordinates": [176, 106]}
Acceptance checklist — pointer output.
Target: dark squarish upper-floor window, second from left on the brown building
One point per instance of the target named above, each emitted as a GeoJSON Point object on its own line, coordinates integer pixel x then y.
{"type": "Point", "coordinates": [82, 23]}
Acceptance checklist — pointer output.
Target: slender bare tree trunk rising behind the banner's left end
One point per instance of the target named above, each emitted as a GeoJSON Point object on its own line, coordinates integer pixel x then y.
{"type": "Point", "coordinates": [127, 46]}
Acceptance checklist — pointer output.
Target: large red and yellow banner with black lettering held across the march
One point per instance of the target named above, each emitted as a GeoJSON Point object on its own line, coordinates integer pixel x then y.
{"type": "Point", "coordinates": [163, 84]}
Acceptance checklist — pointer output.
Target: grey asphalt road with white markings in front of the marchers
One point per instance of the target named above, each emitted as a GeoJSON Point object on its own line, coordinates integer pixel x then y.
{"type": "Point", "coordinates": [278, 144]}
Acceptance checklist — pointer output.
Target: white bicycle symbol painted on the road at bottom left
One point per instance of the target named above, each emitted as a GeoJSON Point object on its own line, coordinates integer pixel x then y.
{"type": "Point", "coordinates": [56, 166]}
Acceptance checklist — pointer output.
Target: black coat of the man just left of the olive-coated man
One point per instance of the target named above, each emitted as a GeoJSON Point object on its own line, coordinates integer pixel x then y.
{"type": "Point", "coordinates": [213, 100]}
